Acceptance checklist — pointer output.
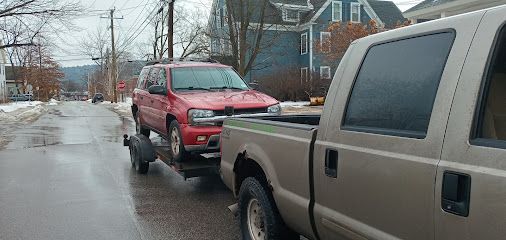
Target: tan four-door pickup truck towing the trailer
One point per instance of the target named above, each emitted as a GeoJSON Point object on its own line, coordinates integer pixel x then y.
{"type": "Point", "coordinates": [411, 143]}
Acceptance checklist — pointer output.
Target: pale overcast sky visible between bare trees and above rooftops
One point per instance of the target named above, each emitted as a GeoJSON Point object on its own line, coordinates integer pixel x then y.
{"type": "Point", "coordinates": [133, 12]}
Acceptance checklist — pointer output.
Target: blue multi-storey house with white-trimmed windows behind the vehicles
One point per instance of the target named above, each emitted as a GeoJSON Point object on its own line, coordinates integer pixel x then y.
{"type": "Point", "coordinates": [293, 27]}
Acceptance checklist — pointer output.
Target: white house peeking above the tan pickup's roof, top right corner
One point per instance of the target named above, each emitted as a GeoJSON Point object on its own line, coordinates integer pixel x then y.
{"type": "Point", "coordinates": [433, 9]}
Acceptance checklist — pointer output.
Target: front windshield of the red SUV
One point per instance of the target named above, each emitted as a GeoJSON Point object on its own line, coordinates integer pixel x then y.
{"type": "Point", "coordinates": [206, 78]}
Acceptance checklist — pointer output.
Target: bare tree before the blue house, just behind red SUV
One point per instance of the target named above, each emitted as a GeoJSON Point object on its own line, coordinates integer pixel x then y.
{"type": "Point", "coordinates": [247, 32]}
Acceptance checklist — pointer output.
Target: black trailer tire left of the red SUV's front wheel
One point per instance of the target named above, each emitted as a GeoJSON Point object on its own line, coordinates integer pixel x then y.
{"type": "Point", "coordinates": [141, 153]}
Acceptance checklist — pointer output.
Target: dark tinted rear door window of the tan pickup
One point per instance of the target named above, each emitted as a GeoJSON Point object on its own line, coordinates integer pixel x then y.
{"type": "Point", "coordinates": [395, 89]}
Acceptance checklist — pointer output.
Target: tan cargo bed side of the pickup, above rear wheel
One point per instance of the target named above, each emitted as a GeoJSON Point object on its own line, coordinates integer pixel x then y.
{"type": "Point", "coordinates": [282, 146]}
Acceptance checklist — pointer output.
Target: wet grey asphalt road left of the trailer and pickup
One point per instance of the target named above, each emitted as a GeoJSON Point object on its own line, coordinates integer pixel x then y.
{"type": "Point", "coordinates": [67, 176]}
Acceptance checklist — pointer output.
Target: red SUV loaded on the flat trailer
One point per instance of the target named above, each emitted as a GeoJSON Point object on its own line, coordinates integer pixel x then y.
{"type": "Point", "coordinates": [186, 102]}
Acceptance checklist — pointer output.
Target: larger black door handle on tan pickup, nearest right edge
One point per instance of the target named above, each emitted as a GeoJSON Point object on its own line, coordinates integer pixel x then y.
{"type": "Point", "coordinates": [456, 193]}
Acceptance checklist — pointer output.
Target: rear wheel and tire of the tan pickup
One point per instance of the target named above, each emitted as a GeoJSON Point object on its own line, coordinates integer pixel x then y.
{"type": "Point", "coordinates": [258, 215]}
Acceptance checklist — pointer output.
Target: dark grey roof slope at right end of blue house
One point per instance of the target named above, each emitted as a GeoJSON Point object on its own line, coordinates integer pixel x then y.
{"type": "Point", "coordinates": [388, 12]}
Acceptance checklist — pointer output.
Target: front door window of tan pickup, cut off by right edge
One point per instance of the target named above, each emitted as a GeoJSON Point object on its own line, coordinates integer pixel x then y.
{"type": "Point", "coordinates": [491, 124]}
